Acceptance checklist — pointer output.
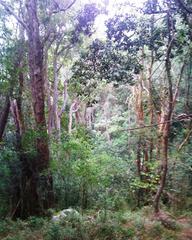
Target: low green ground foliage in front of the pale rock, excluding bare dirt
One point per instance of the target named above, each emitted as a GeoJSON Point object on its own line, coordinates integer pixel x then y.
{"type": "Point", "coordinates": [117, 225]}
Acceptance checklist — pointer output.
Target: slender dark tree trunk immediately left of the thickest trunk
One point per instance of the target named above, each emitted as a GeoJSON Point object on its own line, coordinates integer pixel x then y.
{"type": "Point", "coordinates": [17, 112]}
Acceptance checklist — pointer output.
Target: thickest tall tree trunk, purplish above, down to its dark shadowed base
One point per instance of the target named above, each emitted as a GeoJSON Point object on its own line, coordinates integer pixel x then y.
{"type": "Point", "coordinates": [34, 181]}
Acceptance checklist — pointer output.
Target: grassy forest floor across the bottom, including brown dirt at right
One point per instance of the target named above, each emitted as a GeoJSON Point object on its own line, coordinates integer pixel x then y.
{"type": "Point", "coordinates": [101, 225]}
